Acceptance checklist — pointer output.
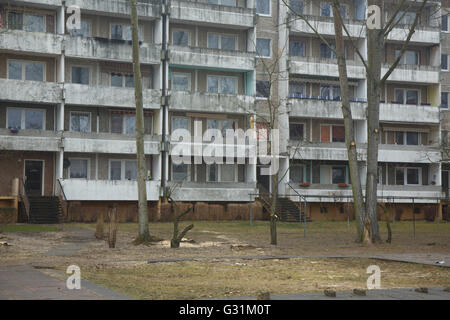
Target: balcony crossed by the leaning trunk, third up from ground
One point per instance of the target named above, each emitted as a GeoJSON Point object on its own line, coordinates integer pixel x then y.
{"type": "Point", "coordinates": [315, 108]}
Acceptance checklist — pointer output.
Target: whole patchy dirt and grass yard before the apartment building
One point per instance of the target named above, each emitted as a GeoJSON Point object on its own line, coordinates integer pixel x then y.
{"type": "Point", "coordinates": [126, 267]}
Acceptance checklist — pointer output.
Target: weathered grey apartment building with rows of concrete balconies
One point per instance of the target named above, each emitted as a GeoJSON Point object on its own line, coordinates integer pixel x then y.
{"type": "Point", "coordinates": [67, 115]}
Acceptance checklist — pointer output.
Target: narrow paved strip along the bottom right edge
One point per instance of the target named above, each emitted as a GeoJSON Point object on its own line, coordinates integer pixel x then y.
{"type": "Point", "coordinates": [436, 293]}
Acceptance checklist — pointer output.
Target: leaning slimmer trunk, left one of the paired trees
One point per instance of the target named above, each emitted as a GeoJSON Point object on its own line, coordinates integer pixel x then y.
{"type": "Point", "coordinates": [350, 142]}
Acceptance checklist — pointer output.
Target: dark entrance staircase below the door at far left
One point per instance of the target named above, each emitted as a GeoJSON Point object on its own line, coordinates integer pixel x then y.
{"type": "Point", "coordinates": [44, 210]}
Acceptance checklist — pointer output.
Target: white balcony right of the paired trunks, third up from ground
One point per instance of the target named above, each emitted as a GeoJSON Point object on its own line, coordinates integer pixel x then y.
{"type": "Point", "coordinates": [409, 113]}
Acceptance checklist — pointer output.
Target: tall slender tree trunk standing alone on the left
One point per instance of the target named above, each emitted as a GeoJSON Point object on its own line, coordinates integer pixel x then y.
{"type": "Point", "coordinates": [144, 233]}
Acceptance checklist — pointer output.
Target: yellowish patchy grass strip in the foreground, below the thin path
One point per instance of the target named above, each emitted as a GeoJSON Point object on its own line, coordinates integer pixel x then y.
{"type": "Point", "coordinates": [196, 280]}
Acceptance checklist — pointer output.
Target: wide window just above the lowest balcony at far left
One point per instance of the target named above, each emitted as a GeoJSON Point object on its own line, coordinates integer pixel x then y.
{"type": "Point", "coordinates": [25, 119]}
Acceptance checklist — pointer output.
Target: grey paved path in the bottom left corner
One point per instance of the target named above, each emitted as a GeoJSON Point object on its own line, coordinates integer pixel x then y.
{"type": "Point", "coordinates": [27, 283]}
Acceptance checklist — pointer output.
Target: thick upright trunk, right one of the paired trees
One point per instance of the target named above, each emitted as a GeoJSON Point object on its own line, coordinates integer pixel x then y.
{"type": "Point", "coordinates": [374, 49]}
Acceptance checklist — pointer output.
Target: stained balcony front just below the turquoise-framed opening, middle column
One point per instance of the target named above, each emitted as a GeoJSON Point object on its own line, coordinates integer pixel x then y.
{"type": "Point", "coordinates": [211, 102]}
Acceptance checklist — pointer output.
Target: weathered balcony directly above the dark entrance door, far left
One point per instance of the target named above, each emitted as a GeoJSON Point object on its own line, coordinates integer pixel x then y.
{"type": "Point", "coordinates": [30, 140]}
